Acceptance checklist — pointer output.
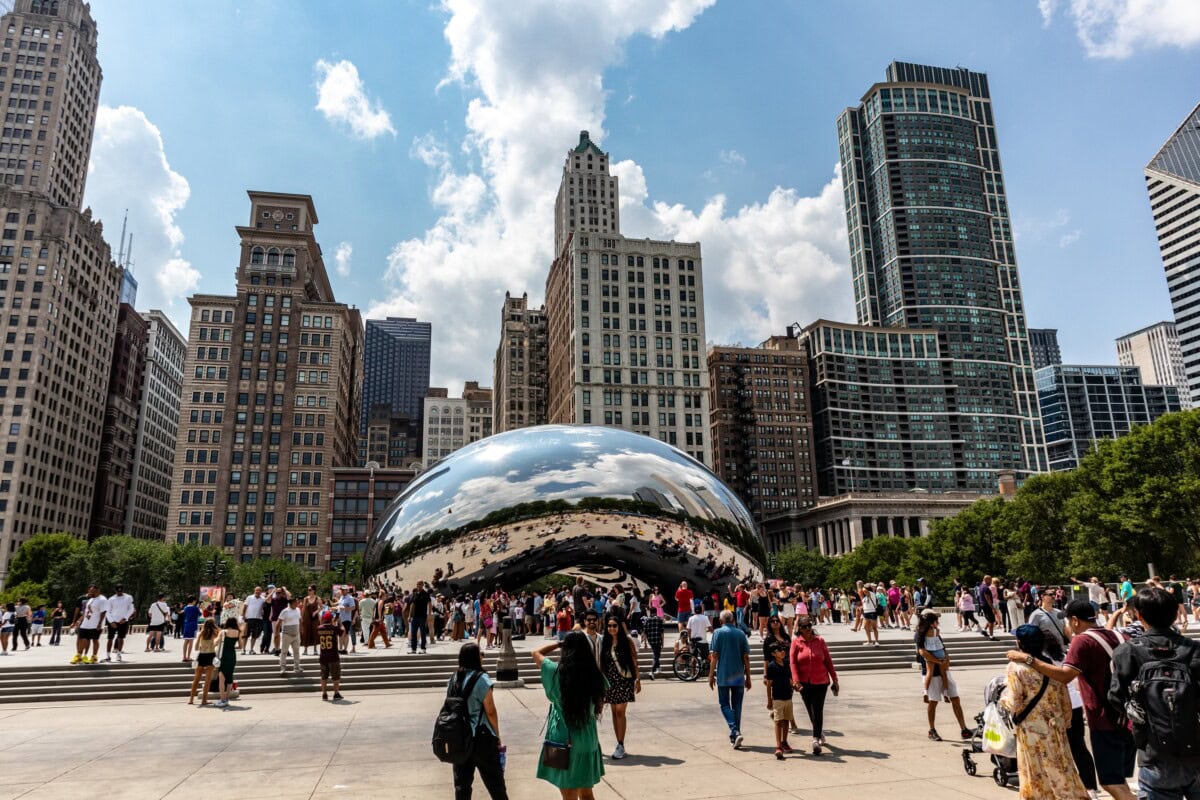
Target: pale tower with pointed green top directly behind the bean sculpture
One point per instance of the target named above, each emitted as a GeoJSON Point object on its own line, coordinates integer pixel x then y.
{"type": "Point", "coordinates": [626, 318]}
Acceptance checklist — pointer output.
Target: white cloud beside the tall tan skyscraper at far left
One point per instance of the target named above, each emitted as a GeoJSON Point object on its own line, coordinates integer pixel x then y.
{"type": "Point", "coordinates": [130, 171]}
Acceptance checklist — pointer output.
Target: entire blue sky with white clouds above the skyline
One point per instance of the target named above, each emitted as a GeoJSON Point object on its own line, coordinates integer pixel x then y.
{"type": "Point", "coordinates": [433, 136]}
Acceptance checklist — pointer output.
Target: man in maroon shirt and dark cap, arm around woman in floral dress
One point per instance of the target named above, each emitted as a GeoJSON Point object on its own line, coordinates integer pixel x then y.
{"type": "Point", "coordinates": [1090, 660]}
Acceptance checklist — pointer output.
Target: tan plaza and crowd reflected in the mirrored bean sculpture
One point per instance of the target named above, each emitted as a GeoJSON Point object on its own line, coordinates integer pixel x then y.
{"type": "Point", "coordinates": [667, 540]}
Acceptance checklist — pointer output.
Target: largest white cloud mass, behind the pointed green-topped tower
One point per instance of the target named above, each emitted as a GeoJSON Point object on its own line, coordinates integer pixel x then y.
{"type": "Point", "coordinates": [538, 80]}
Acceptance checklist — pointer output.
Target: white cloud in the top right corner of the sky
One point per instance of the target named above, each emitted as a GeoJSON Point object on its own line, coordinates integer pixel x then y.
{"type": "Point", "coordinates": [1117, 29]}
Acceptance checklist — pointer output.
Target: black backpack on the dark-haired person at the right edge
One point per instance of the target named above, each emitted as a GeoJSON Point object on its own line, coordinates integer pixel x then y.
{"type": "Point", "coordinates": [1165, 702]}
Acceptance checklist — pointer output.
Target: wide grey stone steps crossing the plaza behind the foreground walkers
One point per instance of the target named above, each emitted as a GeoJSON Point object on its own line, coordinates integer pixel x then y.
{"type": "Point", "coordinates": [398, 671]}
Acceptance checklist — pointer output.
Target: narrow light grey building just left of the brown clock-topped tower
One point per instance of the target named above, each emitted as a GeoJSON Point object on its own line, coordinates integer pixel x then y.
{"type": "Point", "coordinates": [158, 432]}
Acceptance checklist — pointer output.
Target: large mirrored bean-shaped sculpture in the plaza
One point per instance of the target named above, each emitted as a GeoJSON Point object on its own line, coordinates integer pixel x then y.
{"type": "Point", "coordinates": [613, 506]}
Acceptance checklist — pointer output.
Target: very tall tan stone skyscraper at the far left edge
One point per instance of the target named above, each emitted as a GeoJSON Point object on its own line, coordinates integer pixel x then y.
{"type": "Point", "coordinates": [61, 282]}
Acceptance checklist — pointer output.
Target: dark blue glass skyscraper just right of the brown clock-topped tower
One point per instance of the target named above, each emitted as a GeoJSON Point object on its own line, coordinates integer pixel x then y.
{"type": "Point", "coordinates": [397, 368]}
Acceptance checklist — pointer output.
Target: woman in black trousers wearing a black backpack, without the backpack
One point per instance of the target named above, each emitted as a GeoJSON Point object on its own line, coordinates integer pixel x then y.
{"type": "Point", "coordinates": [485, 755]}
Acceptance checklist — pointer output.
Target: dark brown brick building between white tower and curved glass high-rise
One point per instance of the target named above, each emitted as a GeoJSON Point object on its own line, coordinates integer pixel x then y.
{"type": "Point", "coordinates": [763, 425]}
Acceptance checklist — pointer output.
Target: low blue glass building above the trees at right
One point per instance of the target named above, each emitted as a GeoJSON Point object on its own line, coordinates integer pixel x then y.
{"type": "Point", "coordinates": [1084, 405]}
